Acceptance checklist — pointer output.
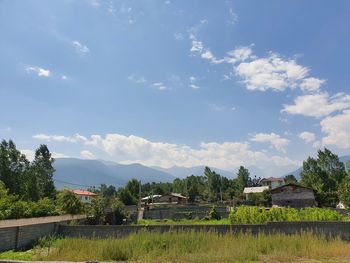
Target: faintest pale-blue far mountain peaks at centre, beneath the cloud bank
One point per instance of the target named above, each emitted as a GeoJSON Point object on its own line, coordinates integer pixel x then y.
{"type": "Point", "coordinates": [182, 172]}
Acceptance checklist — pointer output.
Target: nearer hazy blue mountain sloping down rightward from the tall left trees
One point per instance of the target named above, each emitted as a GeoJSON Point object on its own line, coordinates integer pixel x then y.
{"type": "Point", "coordinates": [77, 173]}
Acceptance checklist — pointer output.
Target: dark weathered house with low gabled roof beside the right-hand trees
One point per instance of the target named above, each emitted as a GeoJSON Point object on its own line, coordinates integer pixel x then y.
{"type": "Point", "coordinates": [293, 195]}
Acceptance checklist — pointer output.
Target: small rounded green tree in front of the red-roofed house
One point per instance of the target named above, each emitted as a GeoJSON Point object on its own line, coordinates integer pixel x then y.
{"type": "Point", "coordinates": [69, 203]}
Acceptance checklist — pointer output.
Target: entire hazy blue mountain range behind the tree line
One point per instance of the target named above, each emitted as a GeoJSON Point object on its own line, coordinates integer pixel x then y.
{"type": "Point", "coordinates": [82, 173]}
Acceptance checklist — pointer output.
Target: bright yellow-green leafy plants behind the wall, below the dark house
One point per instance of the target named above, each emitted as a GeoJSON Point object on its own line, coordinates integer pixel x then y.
{"type": "Point", "coordinates": [259, 215]}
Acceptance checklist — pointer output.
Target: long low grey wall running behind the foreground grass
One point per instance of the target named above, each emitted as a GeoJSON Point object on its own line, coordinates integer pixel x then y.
{"type": "Point", "coordinates": [341, 229]}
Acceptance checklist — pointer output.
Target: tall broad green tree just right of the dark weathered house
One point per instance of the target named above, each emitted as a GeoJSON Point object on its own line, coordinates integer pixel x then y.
{"type": "Point", "coordinates": [324, 175]}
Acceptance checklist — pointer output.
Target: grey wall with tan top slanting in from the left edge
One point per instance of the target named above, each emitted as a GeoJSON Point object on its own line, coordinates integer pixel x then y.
{"type": "Point", "coordinates": [22, 233]}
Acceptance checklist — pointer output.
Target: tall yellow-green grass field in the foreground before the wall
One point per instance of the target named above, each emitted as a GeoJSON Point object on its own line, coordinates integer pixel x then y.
{"type": "Point", "coordinates": [194, 247]}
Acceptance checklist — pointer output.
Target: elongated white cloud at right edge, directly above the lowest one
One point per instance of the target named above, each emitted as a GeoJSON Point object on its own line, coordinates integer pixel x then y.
{"type": "Point", "coordinates": [318, 105]}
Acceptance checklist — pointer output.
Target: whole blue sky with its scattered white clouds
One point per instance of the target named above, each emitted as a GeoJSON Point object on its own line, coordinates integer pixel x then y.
{"type": "Point", "coordinates": [164, 82]}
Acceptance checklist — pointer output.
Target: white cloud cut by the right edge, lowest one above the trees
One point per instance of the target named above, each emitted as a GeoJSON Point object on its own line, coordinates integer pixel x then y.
{"type": "Point", "coordinates": [337, 129]}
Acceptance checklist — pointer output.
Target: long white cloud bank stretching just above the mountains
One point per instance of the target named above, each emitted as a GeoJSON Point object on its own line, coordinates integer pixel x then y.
{"type": "Point", "coordinates": [226, 155]}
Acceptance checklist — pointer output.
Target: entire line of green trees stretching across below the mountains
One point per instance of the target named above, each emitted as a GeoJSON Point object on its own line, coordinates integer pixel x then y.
{"type": "Point", "coordinates": [27, 187]}
